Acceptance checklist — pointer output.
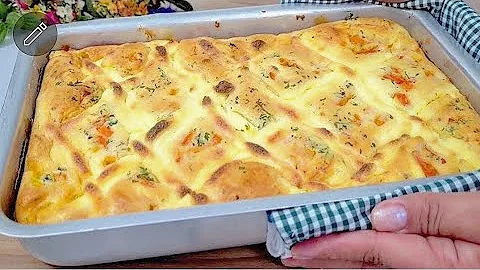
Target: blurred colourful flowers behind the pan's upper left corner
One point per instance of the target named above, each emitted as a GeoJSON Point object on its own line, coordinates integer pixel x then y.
{"type": "Point", "coordinates": [65, 11]}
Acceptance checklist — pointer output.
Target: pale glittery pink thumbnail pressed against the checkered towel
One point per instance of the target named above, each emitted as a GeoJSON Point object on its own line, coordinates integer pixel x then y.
{"type": "Point", "coordinates": [389, 217]}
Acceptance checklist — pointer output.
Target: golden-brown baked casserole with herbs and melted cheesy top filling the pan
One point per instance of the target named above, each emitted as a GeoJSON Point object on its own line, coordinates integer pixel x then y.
{"type": "Point", "coordinates": [167, 124]}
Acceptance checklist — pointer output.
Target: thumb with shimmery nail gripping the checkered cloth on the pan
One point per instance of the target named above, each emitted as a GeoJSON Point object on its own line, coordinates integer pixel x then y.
{"type": "Point", "coordinates": [452, 215]}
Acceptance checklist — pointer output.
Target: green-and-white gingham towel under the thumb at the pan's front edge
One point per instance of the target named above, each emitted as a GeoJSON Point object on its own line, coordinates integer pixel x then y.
{"type": "Point", "coordinates": [287, 227]}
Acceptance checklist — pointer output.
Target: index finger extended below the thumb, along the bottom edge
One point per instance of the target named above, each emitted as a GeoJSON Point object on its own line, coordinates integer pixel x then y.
{"type": "Point", "coordinates": [380, 249]}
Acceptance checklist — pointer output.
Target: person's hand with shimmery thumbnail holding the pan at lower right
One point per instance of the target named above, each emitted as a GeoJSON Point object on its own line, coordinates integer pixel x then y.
{"type": "Point", "coordinates": [423, 230]}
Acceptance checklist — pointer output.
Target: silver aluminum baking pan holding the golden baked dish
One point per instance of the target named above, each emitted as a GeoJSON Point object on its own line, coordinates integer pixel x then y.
{"type": "Point", "coordinates": [198, 228]}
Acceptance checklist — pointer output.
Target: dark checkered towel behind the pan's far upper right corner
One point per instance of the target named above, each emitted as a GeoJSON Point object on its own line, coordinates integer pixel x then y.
{"type": "Point", "coordinates": [458, 19]}
